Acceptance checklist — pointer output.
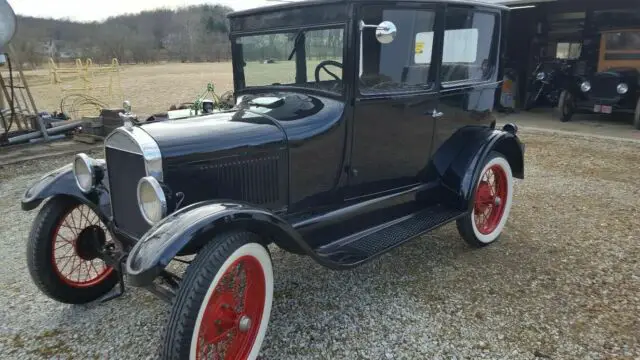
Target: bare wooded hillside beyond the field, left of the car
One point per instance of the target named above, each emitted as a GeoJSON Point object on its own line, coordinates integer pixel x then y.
{"type": "Point", "coordinates": [189, 34]}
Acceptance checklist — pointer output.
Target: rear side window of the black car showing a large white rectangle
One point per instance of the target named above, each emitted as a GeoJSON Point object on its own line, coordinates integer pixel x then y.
{"type": "Point", "coordinates": [470, 47]}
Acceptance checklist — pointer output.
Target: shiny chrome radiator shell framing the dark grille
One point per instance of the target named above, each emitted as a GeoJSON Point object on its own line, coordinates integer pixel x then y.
{"type": "Point", "coordinates": [149, 149]}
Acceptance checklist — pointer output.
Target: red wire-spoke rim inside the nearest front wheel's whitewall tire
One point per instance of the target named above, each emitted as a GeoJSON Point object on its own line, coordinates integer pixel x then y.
{"type": "Point", "coordinates": [233, 314]}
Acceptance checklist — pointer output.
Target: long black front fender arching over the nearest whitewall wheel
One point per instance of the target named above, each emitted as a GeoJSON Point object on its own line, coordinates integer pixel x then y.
{"type": "Point", "coordinates": [195, 224]}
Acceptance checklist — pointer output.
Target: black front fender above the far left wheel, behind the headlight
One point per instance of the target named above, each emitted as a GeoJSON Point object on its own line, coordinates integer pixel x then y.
{"type": "Point", "coordinates": [62, 182]}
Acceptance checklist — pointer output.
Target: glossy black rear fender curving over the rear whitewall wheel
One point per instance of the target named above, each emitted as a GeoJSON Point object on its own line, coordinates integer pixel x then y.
{"type": "Point", "coordinates": [460, 159]}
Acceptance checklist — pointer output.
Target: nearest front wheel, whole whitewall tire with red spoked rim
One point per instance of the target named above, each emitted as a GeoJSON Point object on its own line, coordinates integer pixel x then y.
{"type": "Point", "coordinates": [222, 308]}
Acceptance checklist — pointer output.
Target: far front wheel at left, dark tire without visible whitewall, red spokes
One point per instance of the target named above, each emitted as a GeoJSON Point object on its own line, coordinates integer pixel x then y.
{"type": "Point", "coordinates": [63, 252]}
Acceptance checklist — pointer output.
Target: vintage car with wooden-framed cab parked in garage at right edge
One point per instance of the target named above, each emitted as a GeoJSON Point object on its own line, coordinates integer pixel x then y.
{"type": "Point", "coordinates": [615, 87]}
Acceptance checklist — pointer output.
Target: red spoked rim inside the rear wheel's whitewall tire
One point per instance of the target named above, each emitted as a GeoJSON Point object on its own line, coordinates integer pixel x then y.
{"type": "Point", "coordinates": [489, 205]}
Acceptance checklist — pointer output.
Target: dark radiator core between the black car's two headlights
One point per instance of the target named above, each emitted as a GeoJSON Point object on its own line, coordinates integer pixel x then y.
{"type": "Point", "coordinates": [125, 169]}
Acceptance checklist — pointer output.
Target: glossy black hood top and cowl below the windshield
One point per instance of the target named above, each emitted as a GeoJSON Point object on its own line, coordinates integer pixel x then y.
{"type": "Point", "coordinates": [258, 122]}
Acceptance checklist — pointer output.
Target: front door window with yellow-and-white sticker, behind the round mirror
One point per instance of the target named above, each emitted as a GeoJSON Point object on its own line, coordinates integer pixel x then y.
{"type": "Point", "coordinates": [403, 64]}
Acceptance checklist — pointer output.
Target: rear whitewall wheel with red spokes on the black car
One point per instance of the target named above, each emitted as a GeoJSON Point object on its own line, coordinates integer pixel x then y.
{"type": "Point", "coordinates": [491, 203]}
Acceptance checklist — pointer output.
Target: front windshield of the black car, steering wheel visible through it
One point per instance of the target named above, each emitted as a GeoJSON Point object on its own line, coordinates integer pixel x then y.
{"type": "Point", "coordinates": [276, 59]}
